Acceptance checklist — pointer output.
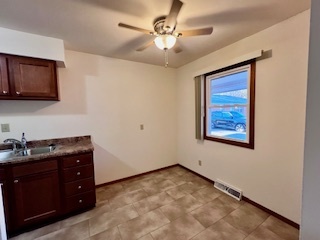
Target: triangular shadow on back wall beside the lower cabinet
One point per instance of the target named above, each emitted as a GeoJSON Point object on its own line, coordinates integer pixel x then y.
{"type": "Point", "coordinates": [109, 167]}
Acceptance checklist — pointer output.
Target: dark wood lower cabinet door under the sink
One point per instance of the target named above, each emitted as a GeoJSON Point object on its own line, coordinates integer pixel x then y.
{"type": "Point", "coordinates": [36, 198]}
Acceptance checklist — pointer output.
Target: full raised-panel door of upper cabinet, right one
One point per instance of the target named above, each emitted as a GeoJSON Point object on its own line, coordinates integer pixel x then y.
{"type": "Point", "coordinates": [34, 78]}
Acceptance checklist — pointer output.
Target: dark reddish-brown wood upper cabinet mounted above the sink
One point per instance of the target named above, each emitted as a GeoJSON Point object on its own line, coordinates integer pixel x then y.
{"type": "Point", "coordinates": [28, 78]}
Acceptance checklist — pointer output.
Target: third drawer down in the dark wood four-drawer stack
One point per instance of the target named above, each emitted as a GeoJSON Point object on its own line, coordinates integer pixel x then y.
{"type": "Point", "coordinates": [78, 187]}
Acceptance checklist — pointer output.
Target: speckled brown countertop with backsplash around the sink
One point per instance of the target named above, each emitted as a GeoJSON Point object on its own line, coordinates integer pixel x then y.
{"type": "Point", "coordinates": [64, 146]}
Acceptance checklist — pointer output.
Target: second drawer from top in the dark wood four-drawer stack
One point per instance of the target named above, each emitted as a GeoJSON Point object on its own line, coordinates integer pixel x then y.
{"type": "Point", "coordinates": [77, 173]}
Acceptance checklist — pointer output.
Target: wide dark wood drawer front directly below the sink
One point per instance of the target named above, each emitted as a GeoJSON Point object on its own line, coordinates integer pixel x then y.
{"type": "Point", "coordinates": [34, 168]}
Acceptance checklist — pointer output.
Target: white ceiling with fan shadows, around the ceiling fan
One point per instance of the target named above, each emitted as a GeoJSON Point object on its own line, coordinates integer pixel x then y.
{"type": "Point", "coordinates": [92, 25]}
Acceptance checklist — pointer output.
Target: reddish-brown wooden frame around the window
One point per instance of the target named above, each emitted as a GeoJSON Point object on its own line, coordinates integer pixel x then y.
{"type": "Point", "coordinates": [251, 106]}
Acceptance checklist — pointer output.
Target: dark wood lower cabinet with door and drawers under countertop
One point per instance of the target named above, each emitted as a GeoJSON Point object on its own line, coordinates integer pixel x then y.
{"type": "Point", "coordinates": [43, 191]}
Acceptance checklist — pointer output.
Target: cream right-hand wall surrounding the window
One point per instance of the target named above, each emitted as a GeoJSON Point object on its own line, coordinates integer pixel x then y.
{"type": "Point", "coordinates": [271, 174]}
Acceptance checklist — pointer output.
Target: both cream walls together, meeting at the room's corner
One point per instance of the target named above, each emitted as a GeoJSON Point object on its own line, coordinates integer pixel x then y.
{"type": "Point", "coordinates": [109, 99]}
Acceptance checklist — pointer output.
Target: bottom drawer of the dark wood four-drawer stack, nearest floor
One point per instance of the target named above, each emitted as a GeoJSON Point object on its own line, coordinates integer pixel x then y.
{"type": "Point", "coordinates": [80, 201]}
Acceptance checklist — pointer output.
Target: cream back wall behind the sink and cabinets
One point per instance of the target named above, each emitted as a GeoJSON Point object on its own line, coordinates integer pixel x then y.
{"type": "Point", "coordinates": [107, 99]}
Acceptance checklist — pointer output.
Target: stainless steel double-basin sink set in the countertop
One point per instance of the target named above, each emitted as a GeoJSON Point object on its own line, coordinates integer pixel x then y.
{"type": "Point", "coordinates": [7, 154]}
